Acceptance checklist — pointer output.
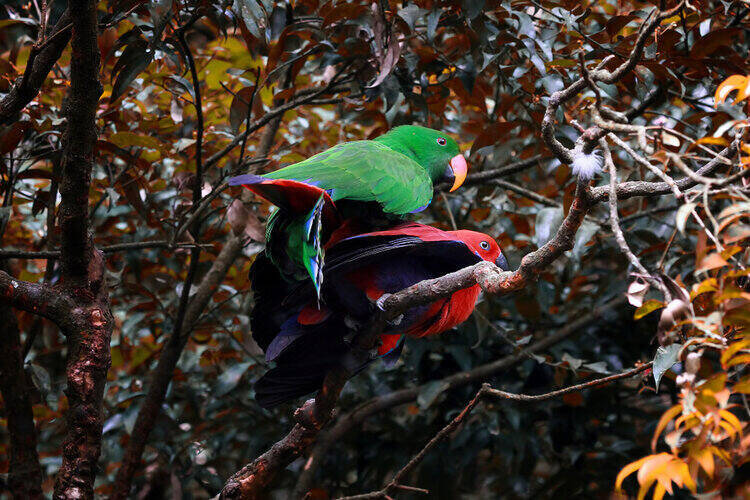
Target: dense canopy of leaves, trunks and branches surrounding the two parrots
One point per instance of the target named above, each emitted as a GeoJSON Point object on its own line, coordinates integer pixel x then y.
{"type": "Point", "coordinates": [127, 359]}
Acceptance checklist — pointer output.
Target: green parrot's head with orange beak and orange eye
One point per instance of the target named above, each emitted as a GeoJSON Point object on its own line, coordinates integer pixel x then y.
{"type": "Point", "coordinates": [436, 151]}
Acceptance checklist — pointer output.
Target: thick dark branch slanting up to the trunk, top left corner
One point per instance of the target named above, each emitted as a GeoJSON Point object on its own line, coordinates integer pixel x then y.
{"type": "Point", "coordinates": [41, 60]}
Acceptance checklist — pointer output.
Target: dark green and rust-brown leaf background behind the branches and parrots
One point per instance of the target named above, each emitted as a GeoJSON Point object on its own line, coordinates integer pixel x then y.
{"type": "Point", "coordinates": [482, 71]}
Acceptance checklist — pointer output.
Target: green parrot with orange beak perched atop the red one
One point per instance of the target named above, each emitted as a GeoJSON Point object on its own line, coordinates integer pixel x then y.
{"type": "Point", "coordinates": [352, 187]}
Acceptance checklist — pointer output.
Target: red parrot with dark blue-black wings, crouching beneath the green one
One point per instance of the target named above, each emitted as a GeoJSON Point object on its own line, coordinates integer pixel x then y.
{"type": "Point", "coordinates": [306, 338]}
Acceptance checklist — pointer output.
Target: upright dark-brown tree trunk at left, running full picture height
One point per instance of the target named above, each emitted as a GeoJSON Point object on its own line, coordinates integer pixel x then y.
{"type": "Point", "coordinates": [88, 325]}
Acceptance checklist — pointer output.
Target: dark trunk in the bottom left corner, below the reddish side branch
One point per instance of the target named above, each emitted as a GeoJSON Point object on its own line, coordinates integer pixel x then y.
{"type": "Point", "coordinates": [25, 474]}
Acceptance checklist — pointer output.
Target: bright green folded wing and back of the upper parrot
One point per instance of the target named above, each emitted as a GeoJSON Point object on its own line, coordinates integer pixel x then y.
{"type": "Point", "coordinates": [365, 171]}
